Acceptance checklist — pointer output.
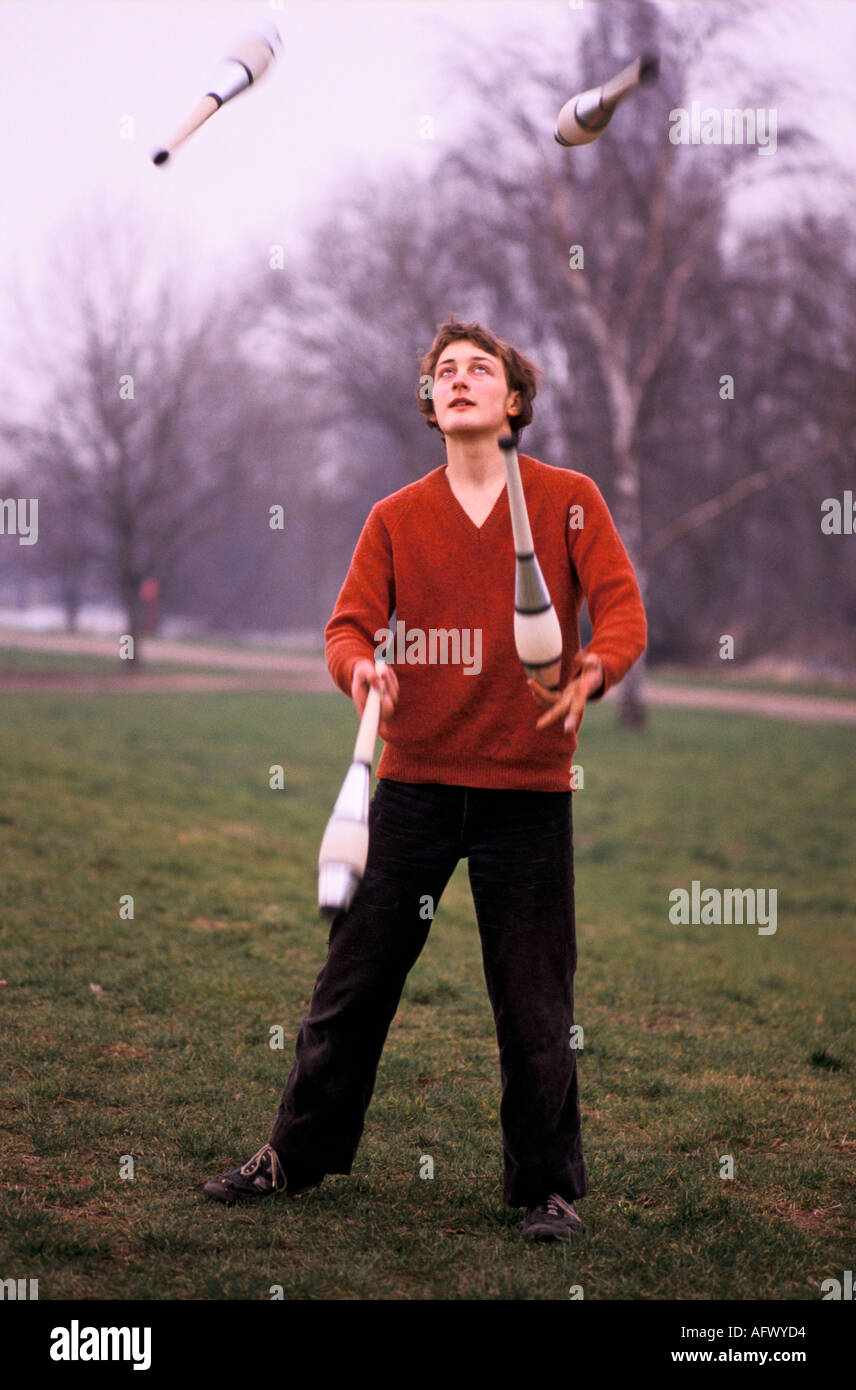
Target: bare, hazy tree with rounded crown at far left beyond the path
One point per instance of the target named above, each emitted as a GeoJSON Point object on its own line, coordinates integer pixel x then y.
{"type": "Point", "coordinates": [137, 448]}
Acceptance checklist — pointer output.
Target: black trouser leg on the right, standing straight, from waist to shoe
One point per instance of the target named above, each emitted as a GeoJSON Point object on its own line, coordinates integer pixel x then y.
{"type": "Point", "coordinates": [522, 871]}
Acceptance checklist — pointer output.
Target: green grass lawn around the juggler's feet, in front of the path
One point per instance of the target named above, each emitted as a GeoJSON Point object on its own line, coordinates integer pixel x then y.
{"type": "Point", "coordinates": [700, 1042]}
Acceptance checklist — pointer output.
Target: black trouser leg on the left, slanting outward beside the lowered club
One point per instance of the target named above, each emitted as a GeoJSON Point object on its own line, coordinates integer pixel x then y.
{"type": "Point", "coordinates": [413, 849]}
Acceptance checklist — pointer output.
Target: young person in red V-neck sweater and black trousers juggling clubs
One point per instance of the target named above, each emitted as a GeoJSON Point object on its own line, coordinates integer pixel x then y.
{"type": "Point", "coordinates": [470, 768]}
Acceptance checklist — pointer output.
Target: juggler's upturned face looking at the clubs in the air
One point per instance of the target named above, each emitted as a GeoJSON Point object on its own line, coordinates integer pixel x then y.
{"type": "Point", "coordinates": [470, 395]}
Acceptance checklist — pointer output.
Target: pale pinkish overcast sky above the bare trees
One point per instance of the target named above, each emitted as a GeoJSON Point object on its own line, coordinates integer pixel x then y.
{"type": "Point", "coordinates": [349, 92]}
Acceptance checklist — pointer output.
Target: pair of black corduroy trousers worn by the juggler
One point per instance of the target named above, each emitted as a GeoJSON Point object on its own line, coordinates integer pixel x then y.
{"type": "Point", "coordinates": [519, 846]}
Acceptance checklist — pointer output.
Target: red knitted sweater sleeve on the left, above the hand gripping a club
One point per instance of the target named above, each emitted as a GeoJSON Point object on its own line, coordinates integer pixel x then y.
{"type": "Point", "coordinates": [365, 604]}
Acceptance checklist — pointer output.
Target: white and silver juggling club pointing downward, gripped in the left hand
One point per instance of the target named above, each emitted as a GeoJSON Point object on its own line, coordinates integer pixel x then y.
{"type": "Point", "coordinates": [345, 844]}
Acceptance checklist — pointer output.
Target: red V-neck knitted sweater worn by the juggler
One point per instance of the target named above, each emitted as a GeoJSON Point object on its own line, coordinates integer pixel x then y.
{"type": "Point", "coordinates": [422, 557]}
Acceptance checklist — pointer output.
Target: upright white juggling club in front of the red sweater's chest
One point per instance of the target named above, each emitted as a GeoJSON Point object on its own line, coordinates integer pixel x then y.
{"type": "Point", "coordinates": [537, 632]}
